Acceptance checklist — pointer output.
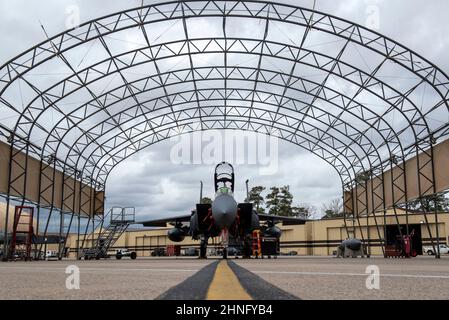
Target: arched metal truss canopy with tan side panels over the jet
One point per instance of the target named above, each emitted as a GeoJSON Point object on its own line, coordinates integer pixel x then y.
{"type": "Point", "coordinates": [79, 103]}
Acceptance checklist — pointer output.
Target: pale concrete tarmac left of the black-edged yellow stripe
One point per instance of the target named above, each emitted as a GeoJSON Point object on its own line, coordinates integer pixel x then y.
{"type": "Point", "coordinates": [124, 279]}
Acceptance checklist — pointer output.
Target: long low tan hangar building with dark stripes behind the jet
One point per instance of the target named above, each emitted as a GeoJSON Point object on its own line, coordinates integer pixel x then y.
{"type": "Point", "coordinates": [315, 237]}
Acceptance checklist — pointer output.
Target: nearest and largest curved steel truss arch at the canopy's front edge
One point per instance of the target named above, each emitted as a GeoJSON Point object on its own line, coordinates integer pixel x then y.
{"type": "Point", "coordinates": [327, 23]}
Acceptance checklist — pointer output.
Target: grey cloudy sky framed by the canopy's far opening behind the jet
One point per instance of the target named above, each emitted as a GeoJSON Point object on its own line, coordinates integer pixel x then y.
{"type": "Point", "coordinates": [158, 187]}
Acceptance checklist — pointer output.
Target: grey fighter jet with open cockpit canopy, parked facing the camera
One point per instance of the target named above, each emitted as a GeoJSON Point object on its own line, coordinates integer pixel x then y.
{"type": "Point", "coordinates": [223, 217]}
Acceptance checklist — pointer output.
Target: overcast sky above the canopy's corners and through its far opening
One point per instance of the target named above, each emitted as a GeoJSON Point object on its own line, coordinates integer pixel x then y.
{"type": "Point", "coordinates": [158, 186]}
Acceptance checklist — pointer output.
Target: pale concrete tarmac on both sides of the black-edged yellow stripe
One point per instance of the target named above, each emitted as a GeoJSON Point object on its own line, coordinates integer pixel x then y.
{"type": "Point", "coordinates": [302, 277]}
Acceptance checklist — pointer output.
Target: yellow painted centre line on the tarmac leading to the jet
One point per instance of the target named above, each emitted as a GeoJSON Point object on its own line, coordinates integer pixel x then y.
{"type": "Point", "coordinates": [225, 285]}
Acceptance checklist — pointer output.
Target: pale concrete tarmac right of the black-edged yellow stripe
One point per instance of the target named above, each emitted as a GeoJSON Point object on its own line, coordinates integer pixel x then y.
{"type": "Point", "coordinates": [332, 278]}
